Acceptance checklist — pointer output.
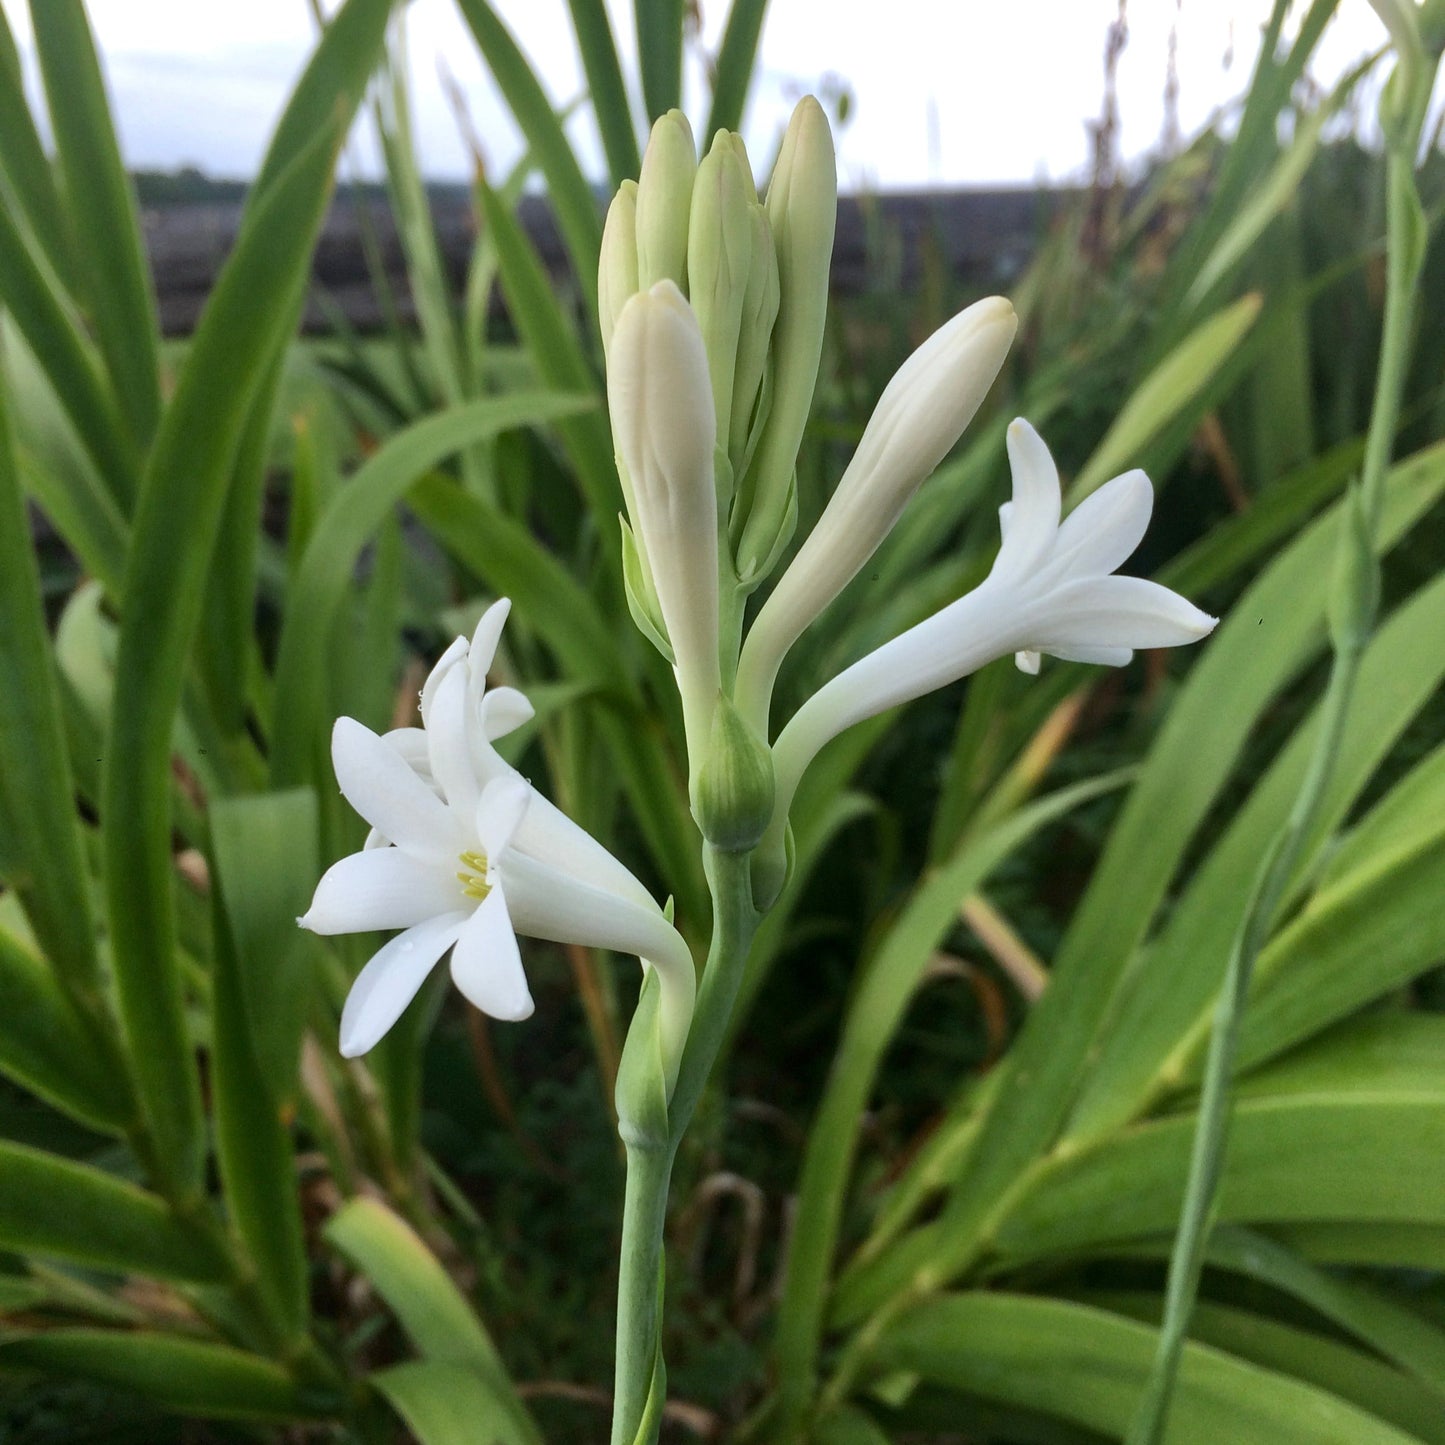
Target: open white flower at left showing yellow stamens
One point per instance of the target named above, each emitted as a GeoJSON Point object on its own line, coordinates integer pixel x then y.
{"type": "Point", "coordinates": [466, 856]}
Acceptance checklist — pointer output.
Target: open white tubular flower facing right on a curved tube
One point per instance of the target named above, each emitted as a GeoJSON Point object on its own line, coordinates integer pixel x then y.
{"type": "Point", "coordinates": [1051, 590]}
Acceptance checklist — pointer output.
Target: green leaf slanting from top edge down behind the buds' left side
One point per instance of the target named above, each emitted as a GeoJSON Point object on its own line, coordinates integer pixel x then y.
{"type": "Point", "coordinates": [577, 210]}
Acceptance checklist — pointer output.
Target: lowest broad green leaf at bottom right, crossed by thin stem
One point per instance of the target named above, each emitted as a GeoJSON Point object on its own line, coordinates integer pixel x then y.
{"type": "Point", "coordinates": [1089, 1366]}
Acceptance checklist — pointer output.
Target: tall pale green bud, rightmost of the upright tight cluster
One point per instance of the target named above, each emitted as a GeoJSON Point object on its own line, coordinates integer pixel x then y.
{"type": "Point", "coordinates": [803, 209]}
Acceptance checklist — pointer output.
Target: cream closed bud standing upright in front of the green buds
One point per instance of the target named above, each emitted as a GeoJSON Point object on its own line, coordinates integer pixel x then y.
{"type": "Point", "coordinates": [664, 424]}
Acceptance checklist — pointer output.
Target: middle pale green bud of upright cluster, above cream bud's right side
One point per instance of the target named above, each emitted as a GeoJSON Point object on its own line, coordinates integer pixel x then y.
{"type": "Point", "coordinates": [720, 245]}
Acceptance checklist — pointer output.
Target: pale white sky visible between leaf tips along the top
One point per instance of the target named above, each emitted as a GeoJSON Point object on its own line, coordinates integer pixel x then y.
{"type": "Point", "coordinates": [946, 92]}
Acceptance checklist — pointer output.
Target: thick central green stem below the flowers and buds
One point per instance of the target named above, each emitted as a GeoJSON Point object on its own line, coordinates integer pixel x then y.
{"type": "Point", "coordinates": [650, 1164]}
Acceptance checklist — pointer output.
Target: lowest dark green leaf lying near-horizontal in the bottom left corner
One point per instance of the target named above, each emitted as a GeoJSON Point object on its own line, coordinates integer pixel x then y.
{"type": "Point", "coordinates": [187, 1376]}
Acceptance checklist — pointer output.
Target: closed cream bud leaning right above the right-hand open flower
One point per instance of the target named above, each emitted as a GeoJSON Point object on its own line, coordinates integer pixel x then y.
{"type": "Point", "coordinates": [920, 417]}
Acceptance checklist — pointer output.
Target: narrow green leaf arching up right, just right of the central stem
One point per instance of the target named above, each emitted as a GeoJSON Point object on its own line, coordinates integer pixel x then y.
{"type": "Point", "coordinates": [889, 982]}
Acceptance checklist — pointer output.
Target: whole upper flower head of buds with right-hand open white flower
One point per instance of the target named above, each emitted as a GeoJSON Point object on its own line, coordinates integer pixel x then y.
{"type": "Point", "coordinates": [713, 309]}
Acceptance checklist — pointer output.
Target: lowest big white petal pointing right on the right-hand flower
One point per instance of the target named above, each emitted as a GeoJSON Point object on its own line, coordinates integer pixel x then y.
{"type": "Point", "coordinates": [1116, 612]}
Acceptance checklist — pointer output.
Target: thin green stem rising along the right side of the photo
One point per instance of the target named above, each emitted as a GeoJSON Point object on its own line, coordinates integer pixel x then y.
{"type": "Point", "coordinates": [1212, 1134]}
